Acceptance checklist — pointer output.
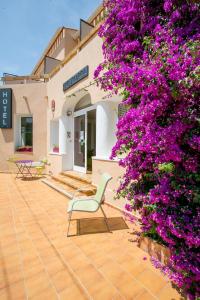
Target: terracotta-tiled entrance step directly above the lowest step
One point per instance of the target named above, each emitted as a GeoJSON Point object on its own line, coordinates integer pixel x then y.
{"type": "Point", "coordinates": [86, 189]}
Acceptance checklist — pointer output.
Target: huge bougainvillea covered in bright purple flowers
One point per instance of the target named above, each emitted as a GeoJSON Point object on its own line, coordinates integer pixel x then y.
{"type": "Point", "coordinates": [151, 57]}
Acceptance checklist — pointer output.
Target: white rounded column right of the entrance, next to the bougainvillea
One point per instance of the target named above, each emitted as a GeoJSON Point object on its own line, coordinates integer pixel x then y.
{"type": "Point", "coordinates": [106, 119]}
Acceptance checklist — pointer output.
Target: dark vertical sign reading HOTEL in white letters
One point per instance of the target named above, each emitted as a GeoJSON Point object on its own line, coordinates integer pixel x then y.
{"type": "Point", "coordinates": [5, 108]}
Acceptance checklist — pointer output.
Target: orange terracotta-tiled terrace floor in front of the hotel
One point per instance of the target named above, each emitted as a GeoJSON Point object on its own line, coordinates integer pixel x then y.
{"type": "Point", "coordinates": [38, 261]}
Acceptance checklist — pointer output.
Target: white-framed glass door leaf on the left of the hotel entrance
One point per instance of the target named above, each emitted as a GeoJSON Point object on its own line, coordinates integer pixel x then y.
{"type": "Point", "coordinates": [80, 143]}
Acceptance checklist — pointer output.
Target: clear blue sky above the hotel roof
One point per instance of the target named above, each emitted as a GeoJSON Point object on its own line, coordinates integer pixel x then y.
{"type": "Point", "coordinates": [26, 27]}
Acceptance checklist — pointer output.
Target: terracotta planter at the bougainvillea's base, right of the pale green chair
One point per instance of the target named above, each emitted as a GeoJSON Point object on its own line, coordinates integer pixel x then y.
{"type": "Point", "coordinates": [158, 251]}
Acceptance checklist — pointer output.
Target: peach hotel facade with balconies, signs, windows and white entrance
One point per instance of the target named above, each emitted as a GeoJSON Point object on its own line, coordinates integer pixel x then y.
{"type": "Point", "coordinates": [58, 112]}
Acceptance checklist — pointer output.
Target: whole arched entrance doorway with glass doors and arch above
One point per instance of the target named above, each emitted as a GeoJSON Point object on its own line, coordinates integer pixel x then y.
{"type": "Point", "coordinates": [84, 134]}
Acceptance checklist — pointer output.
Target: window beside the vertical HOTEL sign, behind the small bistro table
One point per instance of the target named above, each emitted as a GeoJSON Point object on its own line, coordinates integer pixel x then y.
{"type": "Point", "coordinates": [24, 134]}
